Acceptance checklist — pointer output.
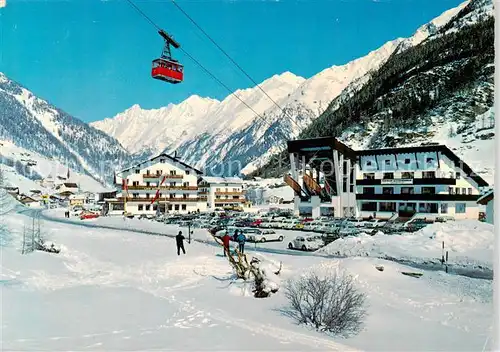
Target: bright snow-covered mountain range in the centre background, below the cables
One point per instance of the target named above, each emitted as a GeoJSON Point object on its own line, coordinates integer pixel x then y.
{"type": "Point", "coordinates": [212, 134]}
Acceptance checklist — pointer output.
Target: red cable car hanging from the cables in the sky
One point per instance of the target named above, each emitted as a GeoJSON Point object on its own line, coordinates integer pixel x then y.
{"type": "Point", "coordinates": [166, 68]}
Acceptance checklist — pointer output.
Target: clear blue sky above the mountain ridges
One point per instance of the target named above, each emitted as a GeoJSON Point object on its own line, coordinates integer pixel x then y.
{"type": "Point", "coordinates": [92, 58]}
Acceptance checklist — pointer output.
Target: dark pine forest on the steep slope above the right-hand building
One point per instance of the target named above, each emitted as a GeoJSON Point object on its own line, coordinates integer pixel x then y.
{"type": "Point", "coordinates": [409, 84]}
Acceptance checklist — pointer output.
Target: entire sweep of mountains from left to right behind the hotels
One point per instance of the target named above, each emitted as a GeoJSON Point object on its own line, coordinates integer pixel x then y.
{"type": "Point", "coordinates": [436, 86]}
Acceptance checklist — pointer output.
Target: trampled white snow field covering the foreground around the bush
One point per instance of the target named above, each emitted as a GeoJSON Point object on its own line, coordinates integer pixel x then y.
{"type": "Point", "coordinates": [117, 290]}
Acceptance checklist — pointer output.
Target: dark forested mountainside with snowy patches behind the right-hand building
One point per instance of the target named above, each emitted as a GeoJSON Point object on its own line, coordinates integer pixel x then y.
{"type": "Point", "coordinates": [441, 91]}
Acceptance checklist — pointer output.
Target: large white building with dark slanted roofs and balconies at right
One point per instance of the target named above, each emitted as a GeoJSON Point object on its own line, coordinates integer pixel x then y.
{"type": "Point", "coordinates": [424, 181]}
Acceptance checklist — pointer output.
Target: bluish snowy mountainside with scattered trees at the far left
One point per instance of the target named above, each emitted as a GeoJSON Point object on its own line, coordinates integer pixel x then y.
{"type": "Point", "coordinates": [35, 125]}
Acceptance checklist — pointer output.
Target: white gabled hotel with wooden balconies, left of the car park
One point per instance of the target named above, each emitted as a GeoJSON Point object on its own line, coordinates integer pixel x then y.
{"type": "Point", "coordinates": [178, 193]}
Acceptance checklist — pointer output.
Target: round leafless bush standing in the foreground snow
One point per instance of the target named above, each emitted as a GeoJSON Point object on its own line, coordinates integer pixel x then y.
{"type": "Point", "coordinates": [330, 303]}
